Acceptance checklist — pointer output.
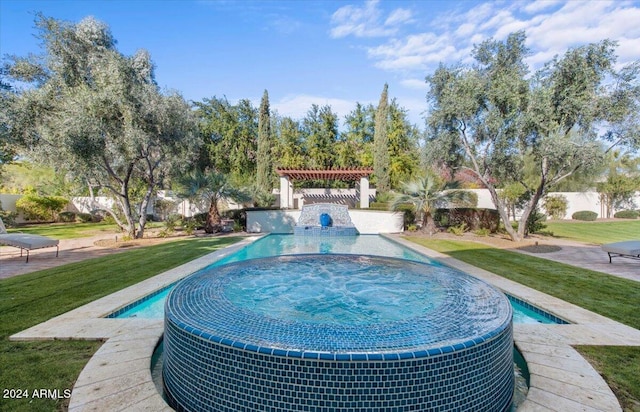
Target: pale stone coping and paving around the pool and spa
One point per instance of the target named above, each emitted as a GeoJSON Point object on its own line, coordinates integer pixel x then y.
{"type": "Point", "coordinates": [118, 376]}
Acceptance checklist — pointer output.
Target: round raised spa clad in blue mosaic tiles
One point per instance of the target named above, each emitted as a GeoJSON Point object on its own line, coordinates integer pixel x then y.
{"type": "Point", "coordinates": [337, 333]}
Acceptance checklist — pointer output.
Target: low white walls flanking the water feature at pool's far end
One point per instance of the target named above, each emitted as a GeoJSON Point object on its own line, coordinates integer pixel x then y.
{"type": "Point", "coordinates": [282, 221]}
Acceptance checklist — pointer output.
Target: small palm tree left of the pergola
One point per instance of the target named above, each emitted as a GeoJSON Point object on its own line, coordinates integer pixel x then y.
{"type": "Point", "coordinates": [209, 186]}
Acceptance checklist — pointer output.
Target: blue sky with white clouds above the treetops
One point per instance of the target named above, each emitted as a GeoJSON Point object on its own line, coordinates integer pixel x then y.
{"type": "Point", "coordinates": [325, 52]}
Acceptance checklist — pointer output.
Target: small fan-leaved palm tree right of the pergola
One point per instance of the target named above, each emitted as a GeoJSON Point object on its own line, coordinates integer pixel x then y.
{"type": "Point", "coordinates": [426, 194]}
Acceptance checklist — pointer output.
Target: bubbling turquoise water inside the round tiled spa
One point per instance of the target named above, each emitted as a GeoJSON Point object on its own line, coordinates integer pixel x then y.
{"type": "Point", "coordinates": [343, 292]}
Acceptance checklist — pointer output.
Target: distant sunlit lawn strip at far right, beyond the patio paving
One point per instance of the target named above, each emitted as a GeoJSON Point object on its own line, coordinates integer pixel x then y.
{"type": "Point", "coordinates": [598, 232]}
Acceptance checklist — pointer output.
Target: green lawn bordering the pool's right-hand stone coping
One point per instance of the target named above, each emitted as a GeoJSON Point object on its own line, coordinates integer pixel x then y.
{"type": "Point", "coordinates": [610, 296]}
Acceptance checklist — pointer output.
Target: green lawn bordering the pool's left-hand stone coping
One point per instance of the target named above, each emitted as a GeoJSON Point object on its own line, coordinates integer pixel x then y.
{"type": "Point", "coordinates": [29, 299]}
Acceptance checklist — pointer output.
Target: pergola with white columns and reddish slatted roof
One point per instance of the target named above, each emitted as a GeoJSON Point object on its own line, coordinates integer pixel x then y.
{"type": "Point", "coordinates": [287, 176]}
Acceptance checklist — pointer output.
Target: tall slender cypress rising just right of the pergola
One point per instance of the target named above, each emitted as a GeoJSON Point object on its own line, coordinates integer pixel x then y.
{"type": "Point", "coordinates": [381, 161]}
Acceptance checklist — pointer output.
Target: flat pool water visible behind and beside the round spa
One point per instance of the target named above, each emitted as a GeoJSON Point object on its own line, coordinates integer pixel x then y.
{"type": "Point", "coordinates": [152, 307]}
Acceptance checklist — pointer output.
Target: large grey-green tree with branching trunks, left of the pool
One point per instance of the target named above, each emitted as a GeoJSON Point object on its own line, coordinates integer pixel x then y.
{"type": "Point", "coordinates": [98, 114]}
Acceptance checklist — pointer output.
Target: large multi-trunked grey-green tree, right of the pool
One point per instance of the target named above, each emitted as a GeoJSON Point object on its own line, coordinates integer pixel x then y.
{"type": "Point", "coordinates": [491, 117]}
